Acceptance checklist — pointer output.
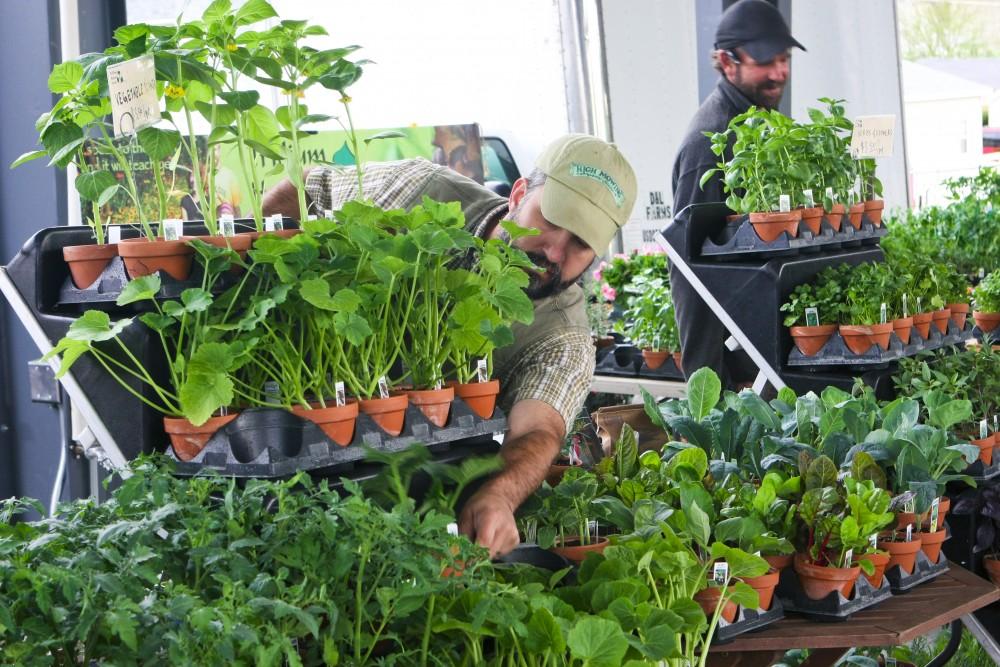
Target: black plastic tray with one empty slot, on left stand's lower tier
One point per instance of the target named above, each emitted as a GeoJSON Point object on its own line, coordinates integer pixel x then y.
{"type": "Point", "coordinates": [267, 443]}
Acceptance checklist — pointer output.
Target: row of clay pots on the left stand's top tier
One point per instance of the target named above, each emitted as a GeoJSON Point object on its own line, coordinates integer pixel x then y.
{"type": "Point", "coordinates": [143, 257]}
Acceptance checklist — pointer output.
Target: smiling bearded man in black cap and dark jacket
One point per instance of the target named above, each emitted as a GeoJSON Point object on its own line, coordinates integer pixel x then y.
{"type": "Point", "coordinates": [752, 43]}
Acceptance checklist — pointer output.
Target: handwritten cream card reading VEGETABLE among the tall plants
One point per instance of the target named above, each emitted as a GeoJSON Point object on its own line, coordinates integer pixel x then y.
{"type": "Point", "coordinates": [132, 91]}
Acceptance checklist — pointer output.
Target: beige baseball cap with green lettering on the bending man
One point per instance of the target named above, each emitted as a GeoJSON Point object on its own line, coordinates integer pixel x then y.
{"type": "Point", "coordinates": [590, 189]}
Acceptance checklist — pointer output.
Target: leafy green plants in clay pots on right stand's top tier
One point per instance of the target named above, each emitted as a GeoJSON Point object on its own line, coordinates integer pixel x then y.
{"type": "Point", "coordinates": [806, 165]}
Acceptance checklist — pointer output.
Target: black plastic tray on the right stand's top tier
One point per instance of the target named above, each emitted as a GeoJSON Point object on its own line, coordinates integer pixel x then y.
{"type": "Point", "coordinates": [738, 240]}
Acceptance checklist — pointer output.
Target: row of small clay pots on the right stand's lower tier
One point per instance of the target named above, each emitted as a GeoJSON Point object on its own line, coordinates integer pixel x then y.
{"type": "Point", "coordinates": [860, 338]}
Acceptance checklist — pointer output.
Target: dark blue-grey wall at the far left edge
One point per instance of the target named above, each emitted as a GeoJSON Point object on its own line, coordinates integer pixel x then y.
{"type": "Point", "coordinates": [31, 197]}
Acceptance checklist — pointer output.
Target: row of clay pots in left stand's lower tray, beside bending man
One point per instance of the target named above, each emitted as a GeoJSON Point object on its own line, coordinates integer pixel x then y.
{"type": "Point", "coordinates": [338, 421]}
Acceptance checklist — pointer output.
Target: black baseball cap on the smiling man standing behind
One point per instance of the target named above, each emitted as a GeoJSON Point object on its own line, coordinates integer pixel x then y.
{"type": "Point", "coordinates": [757, 27]}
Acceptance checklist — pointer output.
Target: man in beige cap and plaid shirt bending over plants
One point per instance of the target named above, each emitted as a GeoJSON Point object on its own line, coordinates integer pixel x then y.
{"type": "Point", "coordinates": [580, 193]}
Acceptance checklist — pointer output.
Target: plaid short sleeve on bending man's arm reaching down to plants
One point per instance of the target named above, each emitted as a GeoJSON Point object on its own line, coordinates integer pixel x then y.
{"type": "Point", "coordinates": [556, 370]}
